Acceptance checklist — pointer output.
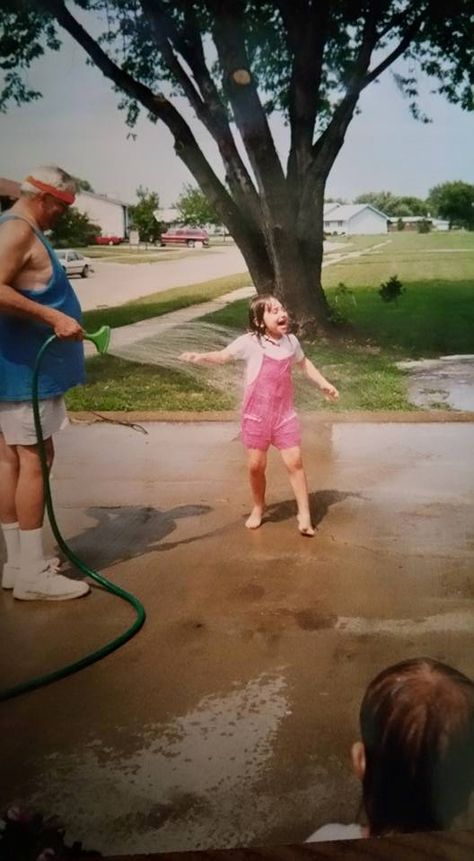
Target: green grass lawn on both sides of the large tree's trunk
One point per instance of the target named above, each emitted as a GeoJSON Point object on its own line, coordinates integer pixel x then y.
{"type": "Point", "coordinates": [434, 316]}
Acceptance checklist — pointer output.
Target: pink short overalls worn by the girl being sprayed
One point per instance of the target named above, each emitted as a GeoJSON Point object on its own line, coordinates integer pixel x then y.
{"type": "Point", "coordinates": [268, 414]}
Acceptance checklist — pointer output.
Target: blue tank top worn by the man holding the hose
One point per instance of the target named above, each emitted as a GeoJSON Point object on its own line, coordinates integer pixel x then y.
{"type": "Point", "coordinates": [62, 366]}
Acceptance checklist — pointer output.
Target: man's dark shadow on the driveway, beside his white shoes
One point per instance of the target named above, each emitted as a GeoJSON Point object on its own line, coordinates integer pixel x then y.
{"type": "Point", "coordinates": [126, 532]}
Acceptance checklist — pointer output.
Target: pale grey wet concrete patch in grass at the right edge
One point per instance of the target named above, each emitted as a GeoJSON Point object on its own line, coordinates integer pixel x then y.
{"type": "Point", "coordinates": [447, 382]}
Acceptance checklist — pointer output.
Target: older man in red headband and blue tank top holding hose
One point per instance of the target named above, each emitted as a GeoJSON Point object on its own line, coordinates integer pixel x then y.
{"type": "Point", "coordinates": [36, 299]}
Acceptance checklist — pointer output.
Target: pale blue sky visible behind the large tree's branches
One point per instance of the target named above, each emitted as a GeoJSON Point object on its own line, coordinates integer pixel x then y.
{"type": "Point", "coordinates": [78, 126]}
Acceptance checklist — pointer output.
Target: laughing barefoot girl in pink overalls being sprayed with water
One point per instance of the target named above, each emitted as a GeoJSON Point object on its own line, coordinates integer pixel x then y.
{"type": "Point", "coordinates": [268, 415]}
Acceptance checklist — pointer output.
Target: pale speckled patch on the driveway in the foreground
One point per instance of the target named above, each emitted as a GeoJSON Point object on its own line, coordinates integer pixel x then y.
{"type": "Point", "coordinates": [205, 762]}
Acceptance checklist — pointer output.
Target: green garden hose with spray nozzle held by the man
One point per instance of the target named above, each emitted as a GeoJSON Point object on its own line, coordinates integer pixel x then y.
{"type": "Point", "coordinates": [101, 340]}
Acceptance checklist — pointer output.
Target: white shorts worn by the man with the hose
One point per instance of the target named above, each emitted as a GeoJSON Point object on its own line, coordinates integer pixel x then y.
{"type": "Point", "coordinates": [17, 423]}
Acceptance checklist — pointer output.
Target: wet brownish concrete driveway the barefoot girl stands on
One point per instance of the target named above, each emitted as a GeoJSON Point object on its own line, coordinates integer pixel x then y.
{"type": "Point", "coordinates": [228, 719]}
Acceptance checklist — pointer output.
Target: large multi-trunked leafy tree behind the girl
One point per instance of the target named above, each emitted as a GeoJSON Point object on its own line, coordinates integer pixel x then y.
{"type": "Point", "coordinates": [237, 61]}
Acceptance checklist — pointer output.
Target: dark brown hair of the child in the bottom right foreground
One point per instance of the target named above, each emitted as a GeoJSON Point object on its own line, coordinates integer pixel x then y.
{"type": "Point", "coordinates": [417, 725]}
